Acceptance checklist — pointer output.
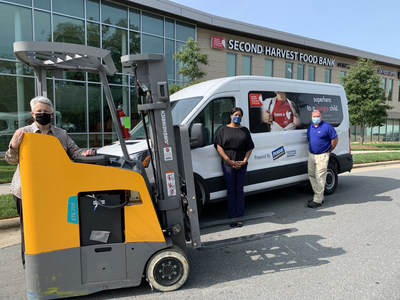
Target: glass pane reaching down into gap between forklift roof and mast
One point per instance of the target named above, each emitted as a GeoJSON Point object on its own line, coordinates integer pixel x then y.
{"type": "Point", "coordinates": [115, 40]}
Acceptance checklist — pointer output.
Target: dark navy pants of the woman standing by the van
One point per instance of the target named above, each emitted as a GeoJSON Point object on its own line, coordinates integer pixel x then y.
{"type": "Point", "coordinates": [234, 179]}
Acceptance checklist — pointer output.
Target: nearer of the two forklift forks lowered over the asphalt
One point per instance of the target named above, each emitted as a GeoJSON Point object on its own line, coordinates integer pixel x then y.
{"type": "Point", "coordinates": [244, 239]}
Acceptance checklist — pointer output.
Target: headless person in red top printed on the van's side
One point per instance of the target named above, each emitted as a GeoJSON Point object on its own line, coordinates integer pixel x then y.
{"type": "Point", "coordinates": [280, 113]}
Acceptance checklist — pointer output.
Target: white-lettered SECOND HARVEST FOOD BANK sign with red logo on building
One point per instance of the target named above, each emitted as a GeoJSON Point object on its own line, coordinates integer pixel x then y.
{"type": "Point", "coordinates": [220, 43]}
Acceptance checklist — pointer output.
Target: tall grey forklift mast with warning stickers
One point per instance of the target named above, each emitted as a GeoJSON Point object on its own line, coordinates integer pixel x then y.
{"type": "Point", "coordinates": [172, 164]}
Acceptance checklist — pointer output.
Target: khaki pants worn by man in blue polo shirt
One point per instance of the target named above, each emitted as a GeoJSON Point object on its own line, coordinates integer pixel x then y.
{"type": "Point", "coordinates": [317, 168]}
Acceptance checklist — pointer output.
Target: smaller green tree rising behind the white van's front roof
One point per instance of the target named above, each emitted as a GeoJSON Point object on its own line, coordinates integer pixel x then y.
{"type": "Point", "coordinates": [189, 58]}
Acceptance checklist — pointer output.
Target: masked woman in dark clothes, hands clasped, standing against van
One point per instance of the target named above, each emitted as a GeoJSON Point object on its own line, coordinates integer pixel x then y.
{"type": "Point", "coordinates": [234, 145]}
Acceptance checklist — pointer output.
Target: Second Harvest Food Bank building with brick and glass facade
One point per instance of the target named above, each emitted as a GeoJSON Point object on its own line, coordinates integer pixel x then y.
{"type": "Point", "coordinates": [158, 26]}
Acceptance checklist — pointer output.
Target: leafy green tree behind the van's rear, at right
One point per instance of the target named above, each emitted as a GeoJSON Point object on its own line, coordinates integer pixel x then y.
{"type": "Point", "coordinates": [365, 96]}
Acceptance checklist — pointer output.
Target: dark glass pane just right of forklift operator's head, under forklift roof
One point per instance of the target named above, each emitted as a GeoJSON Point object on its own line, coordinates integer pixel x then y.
{"type": "Point", "coordinates": [70, 101]}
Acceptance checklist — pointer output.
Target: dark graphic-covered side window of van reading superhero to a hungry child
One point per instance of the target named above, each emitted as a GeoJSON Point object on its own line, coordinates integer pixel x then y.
{"type": "Point", "coordinates": [281, 111]}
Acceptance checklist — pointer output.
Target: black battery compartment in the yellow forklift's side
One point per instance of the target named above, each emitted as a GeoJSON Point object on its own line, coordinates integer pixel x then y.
{"type": "Point", "coordinates": [101, 224]}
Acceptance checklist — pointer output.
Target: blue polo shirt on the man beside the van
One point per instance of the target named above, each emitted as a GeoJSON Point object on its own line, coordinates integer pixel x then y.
{"type": "Point", "coordinates": [319, 138]}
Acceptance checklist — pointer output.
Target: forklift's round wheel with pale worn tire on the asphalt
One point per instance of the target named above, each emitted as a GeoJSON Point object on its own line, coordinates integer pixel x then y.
{"type": "Point", "coordinates": [167, 270]}
